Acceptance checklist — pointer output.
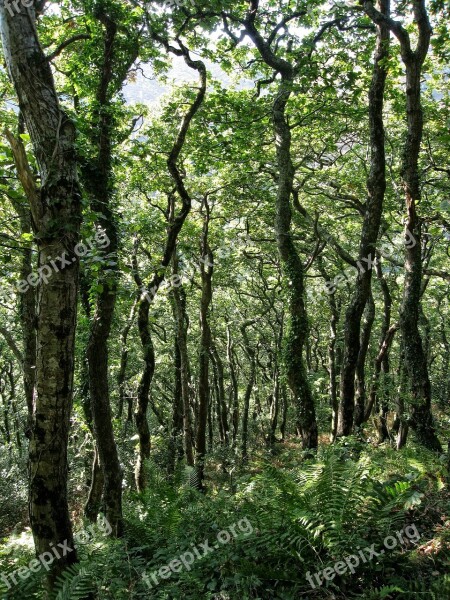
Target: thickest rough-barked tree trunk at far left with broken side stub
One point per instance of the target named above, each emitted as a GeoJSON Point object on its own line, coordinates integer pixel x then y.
{"type": "Point", "coordinates": [56, 216]}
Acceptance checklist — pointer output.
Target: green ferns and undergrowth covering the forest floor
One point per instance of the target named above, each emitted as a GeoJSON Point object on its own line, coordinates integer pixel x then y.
{"type": "Point", "coordinates": [304, 518]}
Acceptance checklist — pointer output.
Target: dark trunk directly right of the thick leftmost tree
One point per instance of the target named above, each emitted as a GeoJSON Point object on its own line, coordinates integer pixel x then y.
{"type": "Point", "coordinates": [98, 178]}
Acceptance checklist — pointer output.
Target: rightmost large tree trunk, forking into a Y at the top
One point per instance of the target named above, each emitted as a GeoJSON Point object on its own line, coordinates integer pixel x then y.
{"type": "Point", "coordinates": [421, 420]}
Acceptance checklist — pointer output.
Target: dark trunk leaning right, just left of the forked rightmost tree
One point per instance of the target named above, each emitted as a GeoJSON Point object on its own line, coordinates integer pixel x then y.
{"type": "Point", "coordinates": [376, 187]}
